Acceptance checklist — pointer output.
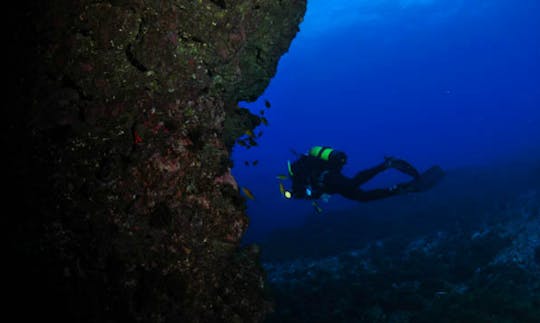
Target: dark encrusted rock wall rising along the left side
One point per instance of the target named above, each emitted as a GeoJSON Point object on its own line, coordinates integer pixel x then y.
{"type": "Point", "coordinates": [117, 144]}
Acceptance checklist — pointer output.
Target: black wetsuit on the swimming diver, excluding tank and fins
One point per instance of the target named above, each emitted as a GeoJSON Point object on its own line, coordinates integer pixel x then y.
{"type": "Point", "coordinates": [310, 172]}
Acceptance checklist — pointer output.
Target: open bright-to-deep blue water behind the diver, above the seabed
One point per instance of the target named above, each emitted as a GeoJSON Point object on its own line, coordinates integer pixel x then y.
{"type": "Point", "coordinates": [454, 83]}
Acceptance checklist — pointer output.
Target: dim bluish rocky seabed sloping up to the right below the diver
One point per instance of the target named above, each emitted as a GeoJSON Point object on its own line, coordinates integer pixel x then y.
{"type": "Point", "coordinates": [487, 274]}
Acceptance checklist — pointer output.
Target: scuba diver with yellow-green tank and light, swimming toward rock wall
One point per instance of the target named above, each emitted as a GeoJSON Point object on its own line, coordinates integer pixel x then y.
{"type": "Point", "coordinates": [317, 175]}
